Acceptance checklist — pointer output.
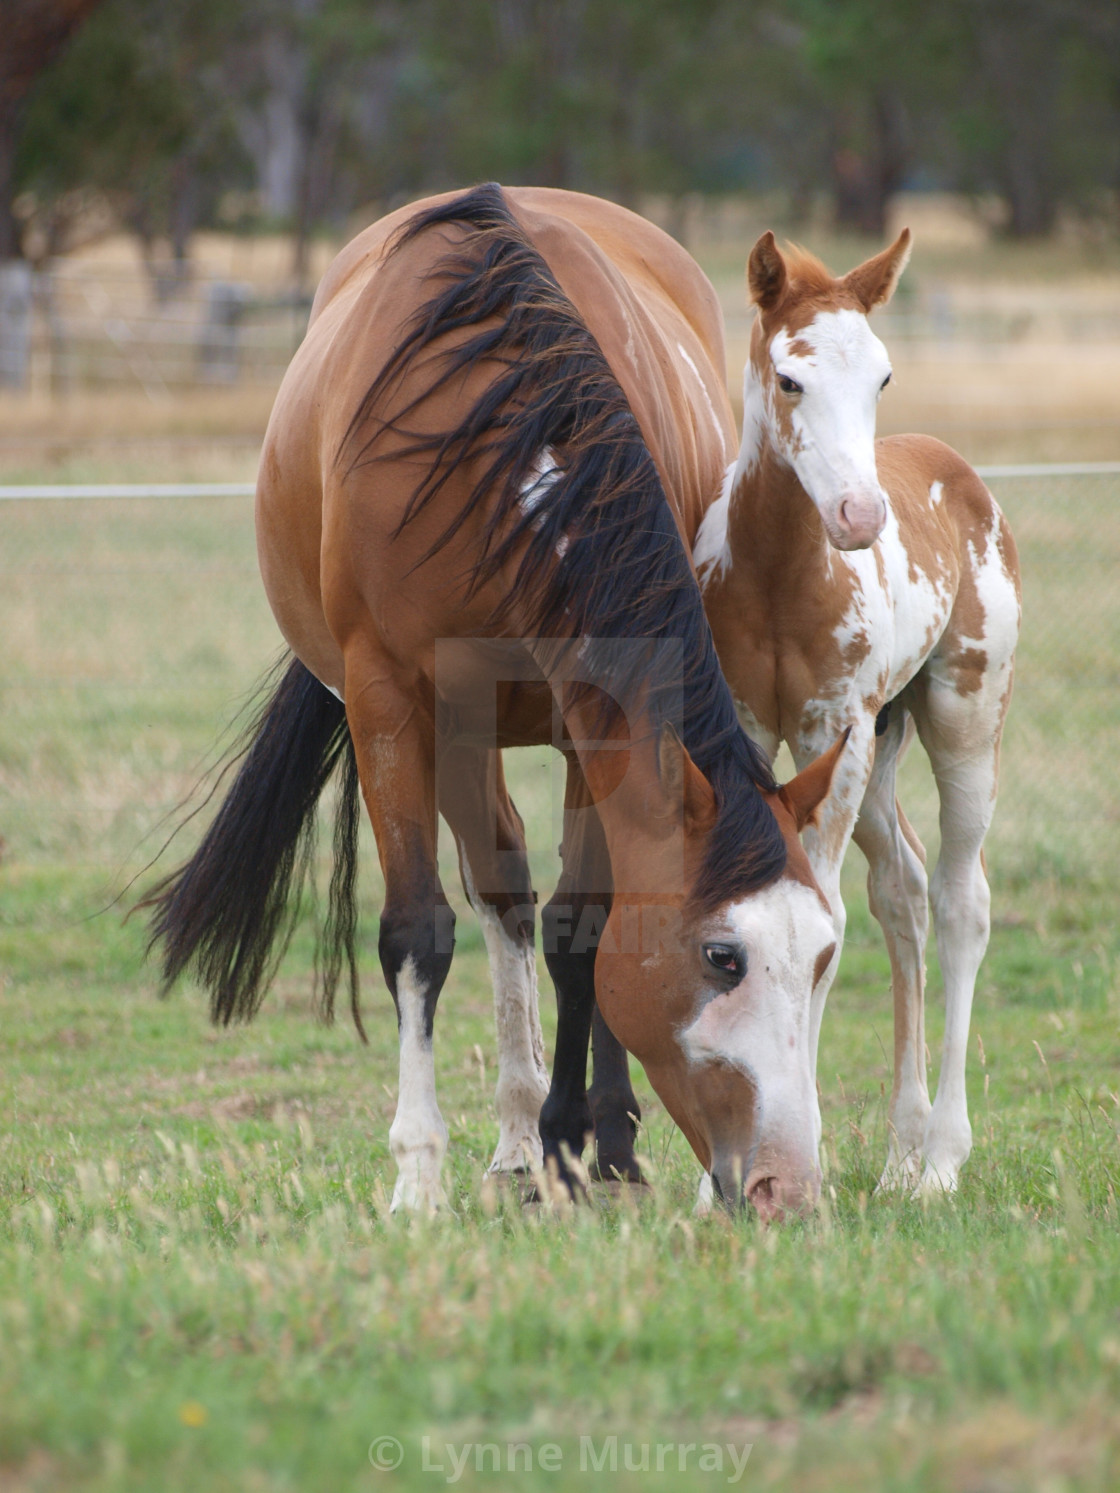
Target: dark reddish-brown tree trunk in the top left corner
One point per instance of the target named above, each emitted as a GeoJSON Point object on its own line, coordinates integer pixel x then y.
{"type": "Point", "coordinates": [35, 34]}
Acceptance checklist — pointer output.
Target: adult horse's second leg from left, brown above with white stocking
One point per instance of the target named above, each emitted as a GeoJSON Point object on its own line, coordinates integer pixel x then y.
{"type": "Point", "coordinates": [492, 858]}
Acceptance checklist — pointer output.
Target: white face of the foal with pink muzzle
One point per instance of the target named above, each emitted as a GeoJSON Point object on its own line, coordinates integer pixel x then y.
{"type": "Point", "coordinates": [821, 392]}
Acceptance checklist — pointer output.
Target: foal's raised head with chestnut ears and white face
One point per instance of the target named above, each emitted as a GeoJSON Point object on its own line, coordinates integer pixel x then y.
{"type": "Point", "coordinates": [815, 378]}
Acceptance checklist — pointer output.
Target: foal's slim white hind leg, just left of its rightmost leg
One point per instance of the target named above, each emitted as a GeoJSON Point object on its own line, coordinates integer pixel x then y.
{"type": "Point", "coordinates": [898, 898]}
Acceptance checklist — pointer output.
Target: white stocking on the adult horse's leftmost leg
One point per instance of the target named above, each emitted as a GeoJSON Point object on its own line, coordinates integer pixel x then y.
{"type": "Point", "coordinates": [417, 1137]}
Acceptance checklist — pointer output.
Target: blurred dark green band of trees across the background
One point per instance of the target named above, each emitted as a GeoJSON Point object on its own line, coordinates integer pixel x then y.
{"type": "Point", "coordinates": [296, 113]}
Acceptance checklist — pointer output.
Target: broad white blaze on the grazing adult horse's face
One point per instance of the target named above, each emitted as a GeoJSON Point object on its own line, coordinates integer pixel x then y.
{"type": "Point", "coordinates": [762, 1026]}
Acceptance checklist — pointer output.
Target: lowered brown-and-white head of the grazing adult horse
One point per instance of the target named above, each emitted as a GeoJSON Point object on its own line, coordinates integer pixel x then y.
{"type": "Point", "coordinates": [713, 992]}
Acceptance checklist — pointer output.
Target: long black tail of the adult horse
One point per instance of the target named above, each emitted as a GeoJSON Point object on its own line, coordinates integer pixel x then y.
{"type": "Point", "coordinates": [231, 910]}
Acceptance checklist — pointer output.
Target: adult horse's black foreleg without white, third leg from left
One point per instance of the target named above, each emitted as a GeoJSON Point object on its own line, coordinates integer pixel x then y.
{"type": "Point", "coordinates": [571, 923]}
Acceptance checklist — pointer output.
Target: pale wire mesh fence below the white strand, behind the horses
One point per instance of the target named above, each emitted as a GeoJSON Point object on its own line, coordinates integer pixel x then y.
{"type": "Point", "coordinates": [134, 622]}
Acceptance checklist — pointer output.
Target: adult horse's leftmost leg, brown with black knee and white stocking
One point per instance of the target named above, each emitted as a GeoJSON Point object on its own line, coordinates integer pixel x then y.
{"type": "Point", "coordinates": [395, 746]}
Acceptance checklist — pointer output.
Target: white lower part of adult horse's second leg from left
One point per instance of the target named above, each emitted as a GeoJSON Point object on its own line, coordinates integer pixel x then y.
{"type": "Point", "coordinates": [522, 1076]}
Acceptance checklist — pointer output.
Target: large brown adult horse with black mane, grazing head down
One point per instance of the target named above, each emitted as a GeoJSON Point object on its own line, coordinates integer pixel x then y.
{"type": "Point", "coordinates": [474, 502]}
